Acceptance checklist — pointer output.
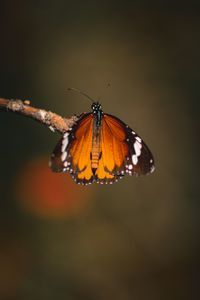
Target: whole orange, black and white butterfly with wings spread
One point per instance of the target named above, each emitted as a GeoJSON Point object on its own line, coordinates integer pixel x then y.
{"type": "Point", "coordinates": [101, 148]}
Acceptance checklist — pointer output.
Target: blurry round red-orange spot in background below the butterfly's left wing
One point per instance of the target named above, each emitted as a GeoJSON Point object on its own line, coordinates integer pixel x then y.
{"type": "Point", "coordinates": [48, 194]}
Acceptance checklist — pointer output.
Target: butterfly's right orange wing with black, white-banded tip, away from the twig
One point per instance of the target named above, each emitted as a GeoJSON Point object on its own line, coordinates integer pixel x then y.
{"type": "Point", "coordinates": [123, 151]}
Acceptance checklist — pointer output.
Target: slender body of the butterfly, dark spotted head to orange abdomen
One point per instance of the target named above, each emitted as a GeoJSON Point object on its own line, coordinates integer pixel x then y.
{"type": "Point", "coordinates": [96, 148]}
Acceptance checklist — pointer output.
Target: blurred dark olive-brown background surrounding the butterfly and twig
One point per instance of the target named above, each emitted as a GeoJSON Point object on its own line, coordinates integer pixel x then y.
{"type": "Point", "coordinates": [139, 238]}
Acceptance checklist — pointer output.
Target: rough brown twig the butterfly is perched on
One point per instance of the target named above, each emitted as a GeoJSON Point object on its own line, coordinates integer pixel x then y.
{"type": "Point", "coordinates": [53, 121]}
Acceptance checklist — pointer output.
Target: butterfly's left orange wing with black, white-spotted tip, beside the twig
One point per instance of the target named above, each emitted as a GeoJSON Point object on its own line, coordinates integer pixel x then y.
{"type": "Point", "coordinates": [72, 153]}
